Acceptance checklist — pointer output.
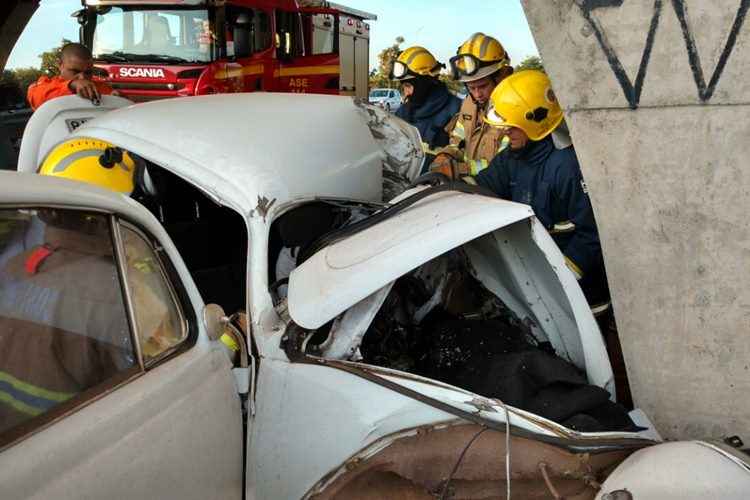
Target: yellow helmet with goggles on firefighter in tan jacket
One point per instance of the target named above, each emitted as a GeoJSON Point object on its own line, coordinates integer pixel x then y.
{"type": "Point", "coordinates": [479, 56]}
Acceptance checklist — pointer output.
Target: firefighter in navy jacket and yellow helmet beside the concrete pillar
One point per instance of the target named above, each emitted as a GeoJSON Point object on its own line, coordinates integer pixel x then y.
{"type": "Point", "coordinates": [532, 170]}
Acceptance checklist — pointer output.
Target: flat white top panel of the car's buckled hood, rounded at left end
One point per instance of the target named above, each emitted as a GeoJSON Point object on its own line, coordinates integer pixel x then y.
{"type": "Point", "coordinates": [391, 248]}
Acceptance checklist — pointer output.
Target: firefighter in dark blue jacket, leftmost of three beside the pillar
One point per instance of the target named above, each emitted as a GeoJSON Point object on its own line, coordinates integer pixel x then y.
{"type": "Point", "coordinates": [428, 105]}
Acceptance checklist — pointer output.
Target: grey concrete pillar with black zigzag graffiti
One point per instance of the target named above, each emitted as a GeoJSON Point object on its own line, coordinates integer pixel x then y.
{"type": "Point", "coordinates": [656, 95]}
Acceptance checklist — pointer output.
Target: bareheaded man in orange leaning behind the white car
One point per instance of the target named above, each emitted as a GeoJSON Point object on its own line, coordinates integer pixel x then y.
{"type": "Point", "coordinates": [76, 66]}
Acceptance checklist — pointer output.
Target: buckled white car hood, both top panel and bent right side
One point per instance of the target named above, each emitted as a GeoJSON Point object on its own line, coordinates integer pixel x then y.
{"type": "Point", "coordinates": [511, 253]}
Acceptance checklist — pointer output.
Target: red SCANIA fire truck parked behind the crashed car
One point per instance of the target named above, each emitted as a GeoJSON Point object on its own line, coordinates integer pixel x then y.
{"type": "Point", "coordinates": [156, 49]}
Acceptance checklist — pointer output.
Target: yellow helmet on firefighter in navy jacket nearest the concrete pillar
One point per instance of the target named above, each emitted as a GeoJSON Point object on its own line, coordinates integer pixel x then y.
{"type": "Point", "coordinates": [525, 100]}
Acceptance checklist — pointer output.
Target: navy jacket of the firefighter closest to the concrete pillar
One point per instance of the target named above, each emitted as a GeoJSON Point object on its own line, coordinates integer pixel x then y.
{"type": "Point", "coordinates": [550, 180]}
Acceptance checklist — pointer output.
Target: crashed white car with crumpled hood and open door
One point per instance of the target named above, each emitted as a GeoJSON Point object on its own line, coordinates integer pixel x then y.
{"type": "Point", "coordinates": [378, 349]}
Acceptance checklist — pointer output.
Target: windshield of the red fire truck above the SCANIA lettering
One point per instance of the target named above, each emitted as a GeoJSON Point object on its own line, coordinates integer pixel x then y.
{"type": "Point", "coordinates": [153, 35]}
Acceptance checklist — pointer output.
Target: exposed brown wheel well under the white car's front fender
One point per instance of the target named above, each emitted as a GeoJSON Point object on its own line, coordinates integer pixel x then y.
{"type": "Point", "coordinates": [422, 463]}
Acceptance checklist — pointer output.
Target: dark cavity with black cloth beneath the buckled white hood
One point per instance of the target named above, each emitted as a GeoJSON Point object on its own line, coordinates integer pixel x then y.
{"type": "Point", "coordinates": [471, 340]}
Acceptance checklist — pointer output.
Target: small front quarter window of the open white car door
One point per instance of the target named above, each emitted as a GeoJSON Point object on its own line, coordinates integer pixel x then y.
{"type": "Point", "coordinates": [159, 320]}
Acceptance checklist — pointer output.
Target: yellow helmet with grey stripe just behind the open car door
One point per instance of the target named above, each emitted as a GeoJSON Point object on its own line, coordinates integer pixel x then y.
{"type": "Point", "coordinates": [92, 161]}
